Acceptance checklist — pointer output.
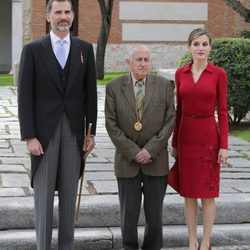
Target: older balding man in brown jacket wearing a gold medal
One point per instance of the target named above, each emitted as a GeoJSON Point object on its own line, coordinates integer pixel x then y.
{"type": "Point", "coordinates": [140, 116]}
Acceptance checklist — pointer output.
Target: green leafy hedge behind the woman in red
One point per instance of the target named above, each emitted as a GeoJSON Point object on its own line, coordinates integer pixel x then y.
{"type": "Point", "coordinates": [232, 54]}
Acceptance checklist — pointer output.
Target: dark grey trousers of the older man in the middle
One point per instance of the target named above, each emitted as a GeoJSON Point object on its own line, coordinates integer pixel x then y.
{"type": "Point", "coordinates": [153, 189]}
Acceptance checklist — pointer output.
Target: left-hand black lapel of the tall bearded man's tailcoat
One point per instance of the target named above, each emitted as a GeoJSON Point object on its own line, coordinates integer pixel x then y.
{"type": "Point", "coordinates": [49, 61]}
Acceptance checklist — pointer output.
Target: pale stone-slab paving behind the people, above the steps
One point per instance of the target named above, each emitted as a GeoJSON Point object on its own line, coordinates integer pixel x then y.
{"type": "Point", "coordinates": [99, 177]}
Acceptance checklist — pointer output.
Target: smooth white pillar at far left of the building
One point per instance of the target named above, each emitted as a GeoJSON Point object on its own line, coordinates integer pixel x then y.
{"type": "Point", "coordinates": [17, 30]}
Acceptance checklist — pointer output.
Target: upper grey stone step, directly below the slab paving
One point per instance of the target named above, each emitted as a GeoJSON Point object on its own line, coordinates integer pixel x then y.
{"type": "Point", "coordinates": [103, 210]}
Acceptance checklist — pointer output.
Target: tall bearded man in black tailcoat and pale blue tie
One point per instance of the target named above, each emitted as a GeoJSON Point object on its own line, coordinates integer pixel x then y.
{"type": "Point", "coordinates": [56, 97]}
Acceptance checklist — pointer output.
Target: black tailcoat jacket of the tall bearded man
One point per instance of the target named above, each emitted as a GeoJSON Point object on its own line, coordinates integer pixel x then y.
{"type": "Point", "coordinates": [42, 99]}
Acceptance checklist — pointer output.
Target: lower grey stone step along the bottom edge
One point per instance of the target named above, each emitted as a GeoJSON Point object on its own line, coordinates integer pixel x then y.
{"type": "Point", "coordinates": [110, 237]}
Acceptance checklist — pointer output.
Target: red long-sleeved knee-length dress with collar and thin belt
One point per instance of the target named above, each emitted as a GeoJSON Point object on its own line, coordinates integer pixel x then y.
{"type": "Point", "coordinates": [197, 135]}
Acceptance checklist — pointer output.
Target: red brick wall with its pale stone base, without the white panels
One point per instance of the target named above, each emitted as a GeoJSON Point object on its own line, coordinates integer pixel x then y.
{"type": "Point", "coordinates": [221, 21]}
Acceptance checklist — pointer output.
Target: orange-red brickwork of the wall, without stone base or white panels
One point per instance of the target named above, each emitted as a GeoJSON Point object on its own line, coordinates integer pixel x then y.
{"type": "Point", "coordinates": [222, 20]}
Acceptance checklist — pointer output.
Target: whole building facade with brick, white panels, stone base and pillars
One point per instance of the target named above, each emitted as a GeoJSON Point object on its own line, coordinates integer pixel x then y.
{"type": "Point", "coordinates": [163, 25]}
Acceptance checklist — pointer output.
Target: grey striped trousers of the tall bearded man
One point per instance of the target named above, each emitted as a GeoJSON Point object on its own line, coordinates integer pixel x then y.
{"type": "Point", "coordinates": [60, 163]}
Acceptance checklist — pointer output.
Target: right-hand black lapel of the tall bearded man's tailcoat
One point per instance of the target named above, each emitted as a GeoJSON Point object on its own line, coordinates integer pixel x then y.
{"type": "Point", "coordinates": [74, 60]}
